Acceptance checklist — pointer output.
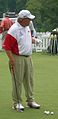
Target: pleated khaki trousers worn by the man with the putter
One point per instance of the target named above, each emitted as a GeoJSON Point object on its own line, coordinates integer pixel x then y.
{"type": "Point", "coordinates": [23, 74]}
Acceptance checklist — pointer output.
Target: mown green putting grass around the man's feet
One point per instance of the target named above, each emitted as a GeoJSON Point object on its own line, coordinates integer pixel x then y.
{"type": "Point", "coordinates": [45, 88]}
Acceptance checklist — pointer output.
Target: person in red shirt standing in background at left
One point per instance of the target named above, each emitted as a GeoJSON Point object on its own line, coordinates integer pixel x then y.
{"type": "Point", "coordinates": [6, 23]}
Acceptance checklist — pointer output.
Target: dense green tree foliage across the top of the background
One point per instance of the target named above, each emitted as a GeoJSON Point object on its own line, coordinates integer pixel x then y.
{"type": "Point", "coordinates": [46, 11]}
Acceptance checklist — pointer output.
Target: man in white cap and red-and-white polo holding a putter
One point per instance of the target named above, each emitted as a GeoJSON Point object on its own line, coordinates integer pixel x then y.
{"type": "Point", "coordinates": [18, 47]}
